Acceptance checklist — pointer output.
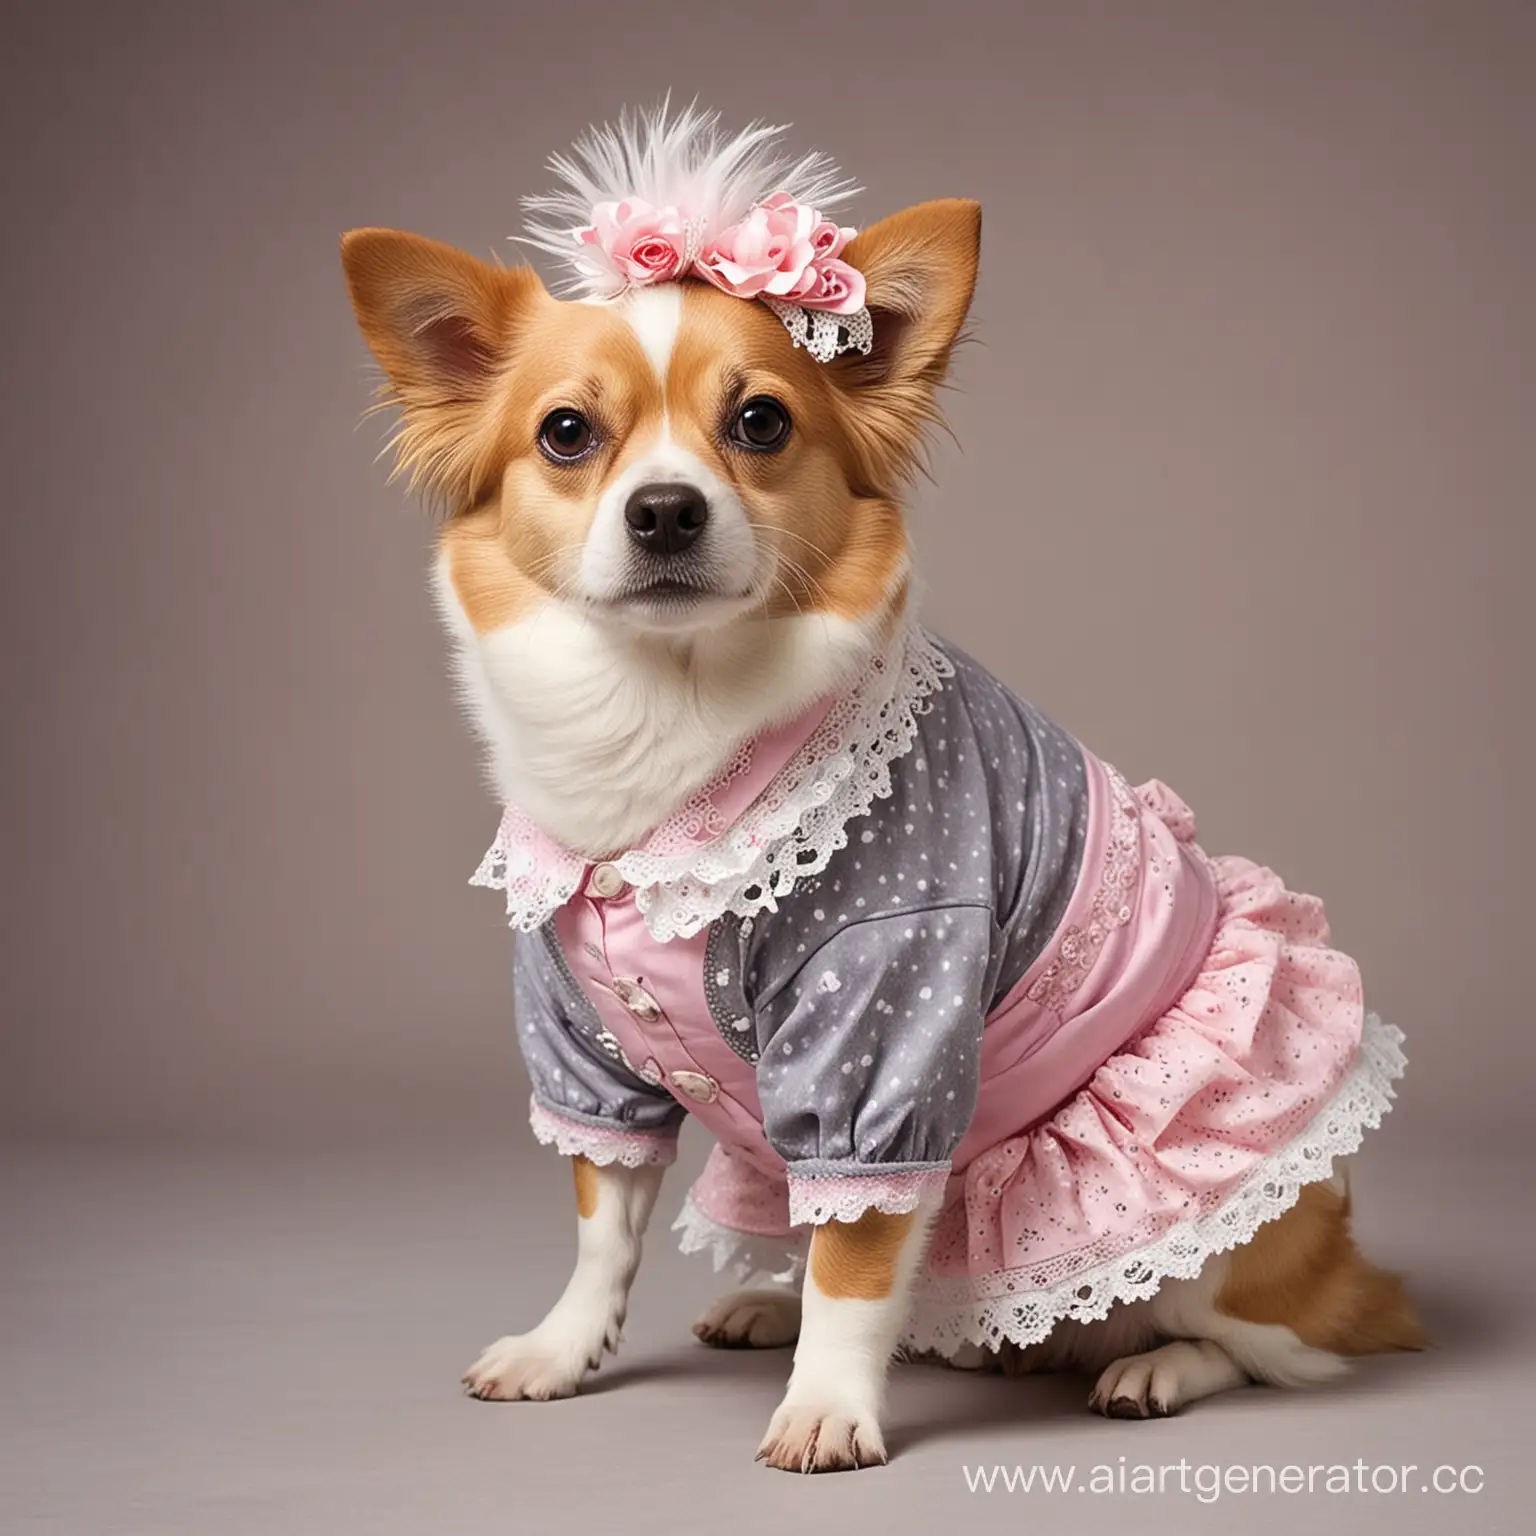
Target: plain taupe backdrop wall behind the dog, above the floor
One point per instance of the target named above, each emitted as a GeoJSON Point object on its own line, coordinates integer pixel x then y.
{"type": "Point", "coordinates": [1243, 492]}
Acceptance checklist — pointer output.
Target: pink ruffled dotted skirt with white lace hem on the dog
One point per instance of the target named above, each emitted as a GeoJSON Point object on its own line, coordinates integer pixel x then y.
{"type": "Point", "coordinates": [1197, 1128]}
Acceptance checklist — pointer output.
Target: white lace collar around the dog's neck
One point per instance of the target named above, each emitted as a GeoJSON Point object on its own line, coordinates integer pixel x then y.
{"type": "Point", "coordinates": [712, 858]}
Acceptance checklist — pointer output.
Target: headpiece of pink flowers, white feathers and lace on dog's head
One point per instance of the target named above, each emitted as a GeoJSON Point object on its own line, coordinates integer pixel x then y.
{"type": "Point", "coordinates": [660, 199]}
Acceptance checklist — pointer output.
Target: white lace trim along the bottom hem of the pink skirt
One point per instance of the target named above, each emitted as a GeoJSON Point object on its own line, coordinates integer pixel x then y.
{"type": "Point", "coordinates": [988, 1309]}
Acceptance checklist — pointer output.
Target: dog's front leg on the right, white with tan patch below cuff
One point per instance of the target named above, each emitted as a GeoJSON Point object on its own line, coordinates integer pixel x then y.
{"type": "Point", "coordinates": [855, 1302]}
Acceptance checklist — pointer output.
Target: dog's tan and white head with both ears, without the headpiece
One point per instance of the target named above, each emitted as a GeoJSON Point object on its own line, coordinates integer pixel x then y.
{"type": "Point", "coordinates": [666, 458]}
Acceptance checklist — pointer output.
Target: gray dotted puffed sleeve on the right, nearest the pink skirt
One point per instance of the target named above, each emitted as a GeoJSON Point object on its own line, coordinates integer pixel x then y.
{"type": "Point", "coordinates": [872, 1050]}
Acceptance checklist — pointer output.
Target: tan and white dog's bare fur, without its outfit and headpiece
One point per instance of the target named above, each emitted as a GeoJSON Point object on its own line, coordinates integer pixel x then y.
{"type": "Point", "coordinates": [667, 528]}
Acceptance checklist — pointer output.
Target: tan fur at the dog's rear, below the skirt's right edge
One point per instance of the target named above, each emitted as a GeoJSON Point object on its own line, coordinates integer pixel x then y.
{"type": "Point", "coordinates": [1305, 1273]}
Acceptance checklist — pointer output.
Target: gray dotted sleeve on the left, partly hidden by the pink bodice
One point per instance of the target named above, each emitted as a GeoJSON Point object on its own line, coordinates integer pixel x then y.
{"type": "Point", "coordinates": [577, 1070]}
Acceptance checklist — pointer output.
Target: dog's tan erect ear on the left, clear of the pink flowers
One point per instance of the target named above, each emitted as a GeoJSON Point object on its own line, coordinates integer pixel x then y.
{"type": "Point", "coordinates": [445, 329]}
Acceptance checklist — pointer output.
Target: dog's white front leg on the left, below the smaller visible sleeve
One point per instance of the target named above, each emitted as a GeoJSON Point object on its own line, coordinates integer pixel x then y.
{"type": "Point", "coordinates": [612, 1210]}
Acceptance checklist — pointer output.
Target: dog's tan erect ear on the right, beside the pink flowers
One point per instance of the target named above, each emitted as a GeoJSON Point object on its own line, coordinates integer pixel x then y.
{"type": "Point", "coordinates": [921, 271]}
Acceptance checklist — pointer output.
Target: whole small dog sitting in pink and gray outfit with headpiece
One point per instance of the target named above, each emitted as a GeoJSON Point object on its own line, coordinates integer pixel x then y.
{"type": "Point", "coordinates": [1004, 1068]}
